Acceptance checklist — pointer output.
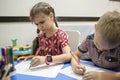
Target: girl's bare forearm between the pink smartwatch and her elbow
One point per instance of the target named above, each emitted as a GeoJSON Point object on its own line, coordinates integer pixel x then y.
{"type": "Point", "coordinates": [66, 57]}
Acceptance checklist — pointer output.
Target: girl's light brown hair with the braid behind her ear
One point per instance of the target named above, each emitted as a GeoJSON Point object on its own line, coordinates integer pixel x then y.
{"type": "Point", "coordinates": [42, 7]}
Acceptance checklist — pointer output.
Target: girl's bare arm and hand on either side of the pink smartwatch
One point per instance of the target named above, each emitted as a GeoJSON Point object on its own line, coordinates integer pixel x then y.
{"type": "Point", "coordinates": [62, 58]}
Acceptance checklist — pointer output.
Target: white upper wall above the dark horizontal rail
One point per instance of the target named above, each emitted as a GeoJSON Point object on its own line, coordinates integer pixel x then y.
{"type": "Point", "coordinates": [62, 7]}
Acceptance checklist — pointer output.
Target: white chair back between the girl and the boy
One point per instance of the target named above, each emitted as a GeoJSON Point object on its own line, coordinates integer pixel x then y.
{"type": "Point", "coordinates": [74, 39]}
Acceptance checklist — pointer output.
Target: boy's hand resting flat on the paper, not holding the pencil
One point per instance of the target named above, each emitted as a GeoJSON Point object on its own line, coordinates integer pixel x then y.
{"type": "Point", "coordinates": [92, 75]}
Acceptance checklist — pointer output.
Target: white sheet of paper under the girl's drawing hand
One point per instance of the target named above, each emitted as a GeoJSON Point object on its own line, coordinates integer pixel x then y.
{"type": "Point", "coordinates": [42, 70]}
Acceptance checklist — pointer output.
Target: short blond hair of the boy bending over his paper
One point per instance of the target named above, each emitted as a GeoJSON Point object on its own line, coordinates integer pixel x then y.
{"type": "Point", "coordinates": [108, 27]}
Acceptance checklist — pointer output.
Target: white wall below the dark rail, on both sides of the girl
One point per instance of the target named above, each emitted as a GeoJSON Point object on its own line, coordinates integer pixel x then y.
{"type": "Point", "coordinates": [26, 32]}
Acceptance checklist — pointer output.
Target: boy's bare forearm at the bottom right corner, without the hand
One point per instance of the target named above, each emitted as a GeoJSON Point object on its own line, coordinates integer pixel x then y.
{"type": "Point", "coordinates": [109, 76]}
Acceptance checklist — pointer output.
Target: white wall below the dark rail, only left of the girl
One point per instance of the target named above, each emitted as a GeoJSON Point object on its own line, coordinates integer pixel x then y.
{"type": "Point", "coordinates": [24, 32]}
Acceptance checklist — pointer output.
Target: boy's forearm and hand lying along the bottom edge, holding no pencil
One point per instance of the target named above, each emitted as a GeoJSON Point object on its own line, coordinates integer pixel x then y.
{"type": "Point", "coordinates": [101, 75]}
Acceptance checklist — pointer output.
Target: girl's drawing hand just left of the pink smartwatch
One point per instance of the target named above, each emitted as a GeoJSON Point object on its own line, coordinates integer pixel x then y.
{"type": "Point", "coordinates": [37, 60]}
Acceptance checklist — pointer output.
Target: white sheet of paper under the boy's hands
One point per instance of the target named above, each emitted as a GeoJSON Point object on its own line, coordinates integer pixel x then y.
{"type": "Point", "coordinates": [68, 71]}
